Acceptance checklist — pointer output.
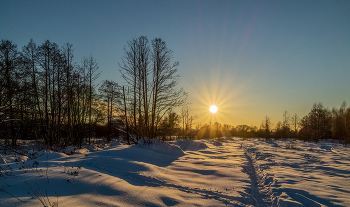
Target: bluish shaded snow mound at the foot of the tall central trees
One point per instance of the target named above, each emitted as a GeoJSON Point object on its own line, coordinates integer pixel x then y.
{"type": "Point", "coordinates": [161, 147]}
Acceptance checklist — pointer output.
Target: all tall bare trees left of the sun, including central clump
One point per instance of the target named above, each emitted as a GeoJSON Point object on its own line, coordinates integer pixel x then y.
{"type": "Point", "coordinates": [45, 95]}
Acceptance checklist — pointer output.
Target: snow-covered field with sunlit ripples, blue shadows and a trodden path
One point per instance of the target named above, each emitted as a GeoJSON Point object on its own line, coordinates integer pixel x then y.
{"type": "Point", "coordinates": [228, 172]}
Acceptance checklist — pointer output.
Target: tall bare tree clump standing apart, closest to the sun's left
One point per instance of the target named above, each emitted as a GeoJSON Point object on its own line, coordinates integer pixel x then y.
{"type": "Point", "coordinates": [152, 79]}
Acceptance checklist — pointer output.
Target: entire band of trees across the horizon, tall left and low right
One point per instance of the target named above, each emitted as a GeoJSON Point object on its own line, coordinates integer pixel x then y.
{"type": "Point", "coordinates": [46, 96]}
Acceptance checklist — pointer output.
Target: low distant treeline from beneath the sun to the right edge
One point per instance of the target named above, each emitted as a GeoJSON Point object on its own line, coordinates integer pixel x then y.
{"type": "Point", "coordinates": [319, 123]}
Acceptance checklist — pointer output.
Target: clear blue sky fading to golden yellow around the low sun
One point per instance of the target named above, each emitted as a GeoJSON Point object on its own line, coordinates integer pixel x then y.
{"type": "Point", "coordinates": [249, 58]}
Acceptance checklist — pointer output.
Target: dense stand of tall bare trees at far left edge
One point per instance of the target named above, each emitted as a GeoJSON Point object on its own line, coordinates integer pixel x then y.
{"type": "Point", "coordinates": [46, 95]}
